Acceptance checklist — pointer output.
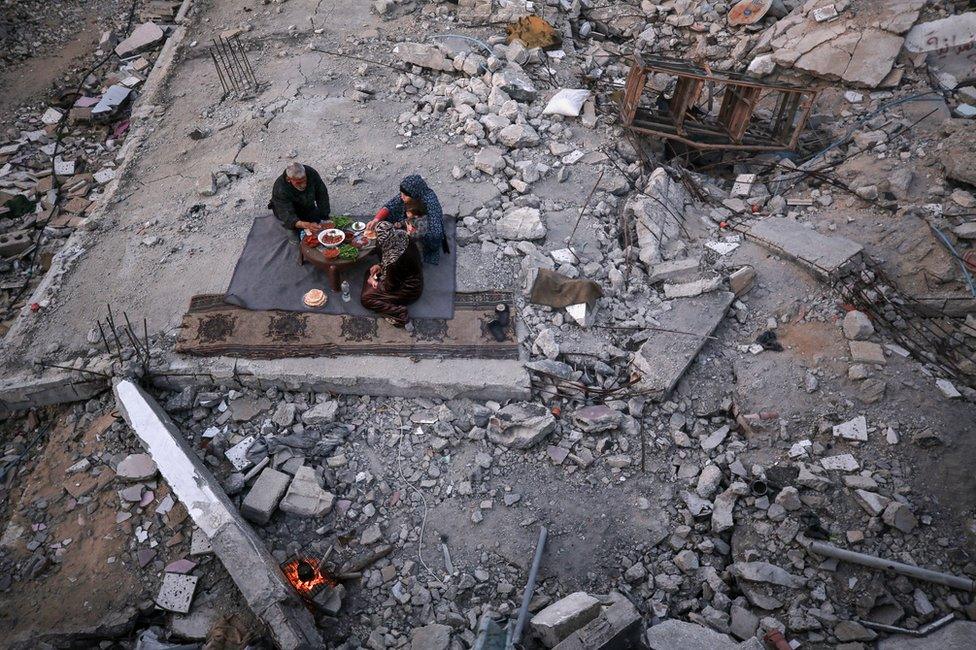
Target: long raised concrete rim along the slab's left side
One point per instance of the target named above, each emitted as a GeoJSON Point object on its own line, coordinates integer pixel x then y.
{"type": "Point", "coordinates": [74, 247]}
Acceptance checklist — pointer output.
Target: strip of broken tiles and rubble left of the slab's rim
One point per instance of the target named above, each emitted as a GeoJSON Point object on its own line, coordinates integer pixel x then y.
{"type": "Point", "coordinates": [57, 160]}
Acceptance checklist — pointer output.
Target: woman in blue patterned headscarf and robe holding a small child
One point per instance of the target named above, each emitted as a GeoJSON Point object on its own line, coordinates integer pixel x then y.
{"type": "Point", "coordinates": [419, 210]}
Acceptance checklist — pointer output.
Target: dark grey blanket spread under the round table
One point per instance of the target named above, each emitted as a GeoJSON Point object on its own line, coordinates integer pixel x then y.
{"type": "Point", "coordinates": [268, 276]}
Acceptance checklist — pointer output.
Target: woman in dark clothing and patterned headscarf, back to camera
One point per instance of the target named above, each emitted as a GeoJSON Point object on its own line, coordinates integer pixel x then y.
{"type": "Point", "coordinates": [398, 279]}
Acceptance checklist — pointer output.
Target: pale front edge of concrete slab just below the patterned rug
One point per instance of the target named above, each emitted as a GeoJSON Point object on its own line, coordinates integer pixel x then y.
{"type": "Point", "coordinates": [483, 379]}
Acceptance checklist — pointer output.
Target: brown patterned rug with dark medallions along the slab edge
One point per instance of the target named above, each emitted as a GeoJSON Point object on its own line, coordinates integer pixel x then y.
{"type": "Point", "coordinates": [213, 327]}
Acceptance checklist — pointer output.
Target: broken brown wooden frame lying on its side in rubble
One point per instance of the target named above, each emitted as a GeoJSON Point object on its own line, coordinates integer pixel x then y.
{"type": "Point", "coordinates": [686, 117]}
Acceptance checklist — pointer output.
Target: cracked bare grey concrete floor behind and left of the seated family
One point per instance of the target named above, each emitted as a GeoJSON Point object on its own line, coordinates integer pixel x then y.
{"type": "Point", "coordinates": [353, 145]}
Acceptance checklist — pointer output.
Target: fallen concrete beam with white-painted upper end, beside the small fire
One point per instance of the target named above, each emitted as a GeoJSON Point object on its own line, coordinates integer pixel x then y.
{"type": "Point", "coordinates": [245, 556]}
